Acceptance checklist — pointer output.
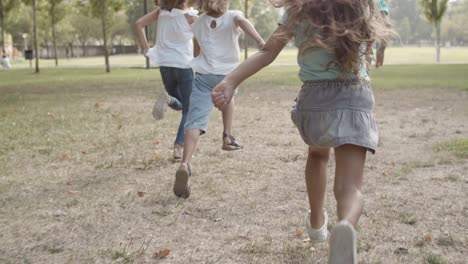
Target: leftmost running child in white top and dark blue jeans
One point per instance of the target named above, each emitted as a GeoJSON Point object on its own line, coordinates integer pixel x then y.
{"type": "Point", "coordinates": [173, 53]}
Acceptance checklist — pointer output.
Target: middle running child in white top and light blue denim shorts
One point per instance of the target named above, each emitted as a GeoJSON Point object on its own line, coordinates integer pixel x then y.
{"type": "Point", "coordinates": [216, 36]}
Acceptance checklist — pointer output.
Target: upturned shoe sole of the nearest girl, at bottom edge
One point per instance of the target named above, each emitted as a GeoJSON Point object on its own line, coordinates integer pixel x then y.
{"type": "Point", "coordinates": [343, 245]}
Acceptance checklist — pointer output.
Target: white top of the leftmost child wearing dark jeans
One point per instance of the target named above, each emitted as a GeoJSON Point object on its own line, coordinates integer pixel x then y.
{"type": "Point", "coordinates": [174, 44]}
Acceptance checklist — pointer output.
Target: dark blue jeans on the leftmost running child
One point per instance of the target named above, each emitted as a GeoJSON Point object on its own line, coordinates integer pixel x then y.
{"type": "Point", "coordinates": [178, 84]}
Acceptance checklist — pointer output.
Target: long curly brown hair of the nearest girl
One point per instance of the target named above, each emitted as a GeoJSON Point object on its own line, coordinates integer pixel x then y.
{"type": "Point", "coordinates": [340, 26]}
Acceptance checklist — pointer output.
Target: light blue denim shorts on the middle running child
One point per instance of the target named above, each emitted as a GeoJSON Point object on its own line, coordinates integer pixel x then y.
{"type": "Point", "coordinates": [200, 101]}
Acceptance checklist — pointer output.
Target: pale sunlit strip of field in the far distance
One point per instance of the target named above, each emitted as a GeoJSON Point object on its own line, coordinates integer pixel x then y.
{"type": "Point", "coordinates": [397, 55]}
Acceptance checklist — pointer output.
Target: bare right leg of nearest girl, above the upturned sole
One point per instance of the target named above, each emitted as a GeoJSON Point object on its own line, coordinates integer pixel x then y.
{"type": "Point", "coordinates": [348, 181]}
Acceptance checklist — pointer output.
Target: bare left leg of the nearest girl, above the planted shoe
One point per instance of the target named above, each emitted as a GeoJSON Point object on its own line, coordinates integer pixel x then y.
{"type": "Point", "coordinates": [316, 181]}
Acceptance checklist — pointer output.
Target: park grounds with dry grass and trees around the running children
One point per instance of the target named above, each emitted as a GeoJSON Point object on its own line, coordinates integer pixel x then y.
{"type": "Point", "coordinates": [86, 174]}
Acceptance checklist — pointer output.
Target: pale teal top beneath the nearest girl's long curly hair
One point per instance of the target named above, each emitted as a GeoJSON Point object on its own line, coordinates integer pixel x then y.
{"type": "Point", "coordinates": [316, 64]}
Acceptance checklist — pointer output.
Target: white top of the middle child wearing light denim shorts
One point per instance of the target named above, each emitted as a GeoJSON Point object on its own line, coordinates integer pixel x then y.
{"type": "Point", "coordinates": [219, 46]}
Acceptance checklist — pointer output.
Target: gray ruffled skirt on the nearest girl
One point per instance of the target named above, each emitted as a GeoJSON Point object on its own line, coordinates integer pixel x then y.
{"type": "Point", "coordinates": [330, 113]}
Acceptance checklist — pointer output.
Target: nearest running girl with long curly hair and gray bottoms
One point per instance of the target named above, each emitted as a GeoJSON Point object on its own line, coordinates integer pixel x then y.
{"type": "Point", "coordinates": [333, 108]}
